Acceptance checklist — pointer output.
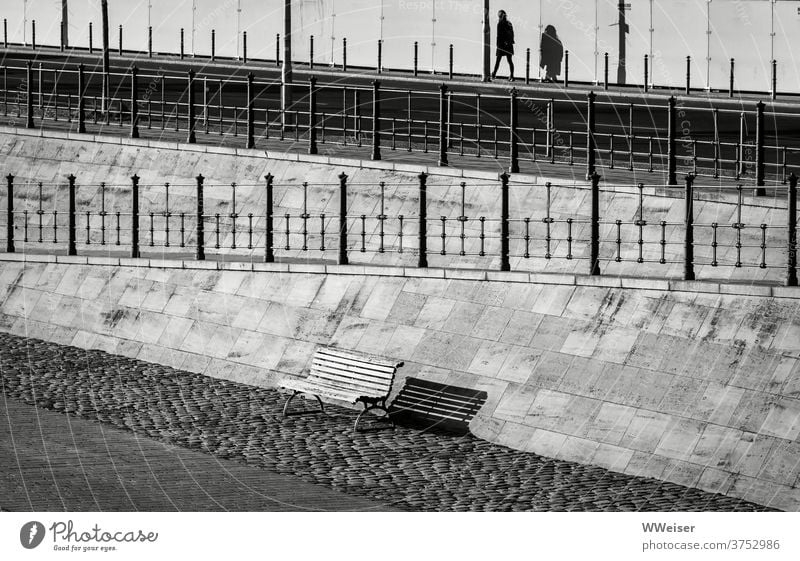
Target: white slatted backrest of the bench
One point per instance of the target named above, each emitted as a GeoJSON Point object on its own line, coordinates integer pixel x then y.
{"type": "Point", "coordinates": [367, 375]}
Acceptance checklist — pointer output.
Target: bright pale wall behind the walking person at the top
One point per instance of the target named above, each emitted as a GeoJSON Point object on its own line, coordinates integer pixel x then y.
{"type": "Point", "coordinates": [753, 32]}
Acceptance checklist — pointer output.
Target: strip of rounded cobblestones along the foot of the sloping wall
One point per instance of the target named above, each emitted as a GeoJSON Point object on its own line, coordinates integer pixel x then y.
{"type": "Point", "coordinates": [404, 468]}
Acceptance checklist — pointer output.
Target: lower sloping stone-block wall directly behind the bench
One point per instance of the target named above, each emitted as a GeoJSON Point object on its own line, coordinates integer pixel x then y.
{"type": "Point", "coordinates": [695, 383]}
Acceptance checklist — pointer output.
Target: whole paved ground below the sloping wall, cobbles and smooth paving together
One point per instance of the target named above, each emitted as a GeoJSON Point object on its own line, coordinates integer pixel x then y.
{"type": "Point", "coordinates": [86, 430]}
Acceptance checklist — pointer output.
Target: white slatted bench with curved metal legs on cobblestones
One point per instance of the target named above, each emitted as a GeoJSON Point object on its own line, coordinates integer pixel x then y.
{"type": "Point", "coordinates": [346, 376]}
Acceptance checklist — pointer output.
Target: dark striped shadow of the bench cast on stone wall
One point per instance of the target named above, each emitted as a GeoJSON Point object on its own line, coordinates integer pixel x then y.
{"type": "Point", "coordinates": [430, 405]}
